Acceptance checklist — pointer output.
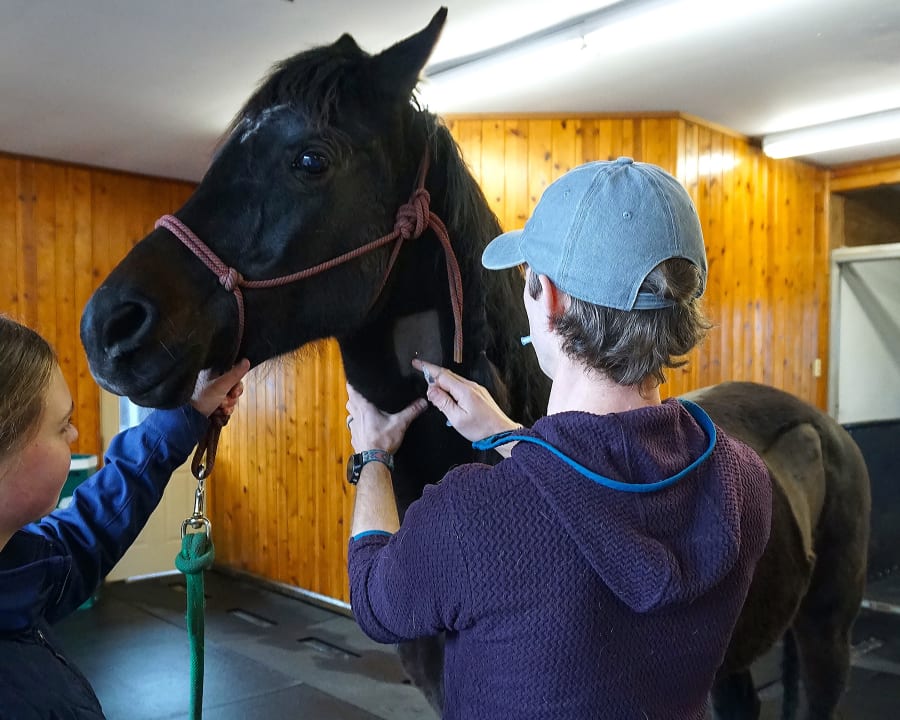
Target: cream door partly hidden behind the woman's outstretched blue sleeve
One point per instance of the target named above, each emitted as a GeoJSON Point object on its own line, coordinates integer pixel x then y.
{"type": "Point", "coordinates": [155, 549]}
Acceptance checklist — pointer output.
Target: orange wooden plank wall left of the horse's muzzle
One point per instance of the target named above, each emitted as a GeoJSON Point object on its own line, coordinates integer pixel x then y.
{"type": "Point", "coordinates": [62, 229]}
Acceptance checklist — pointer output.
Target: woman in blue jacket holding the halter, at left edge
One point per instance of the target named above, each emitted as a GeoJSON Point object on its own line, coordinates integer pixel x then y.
{"type": "Point", "coordinates": [52, 560]}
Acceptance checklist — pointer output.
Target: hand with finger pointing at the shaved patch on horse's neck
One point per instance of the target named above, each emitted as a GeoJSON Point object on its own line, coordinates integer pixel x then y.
{"type": "Point", "coordinates": [468, 406]}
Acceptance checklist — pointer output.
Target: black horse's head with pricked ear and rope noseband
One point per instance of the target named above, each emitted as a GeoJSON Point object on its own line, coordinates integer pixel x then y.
{"type": "Point", "coordinates": [313, 167]}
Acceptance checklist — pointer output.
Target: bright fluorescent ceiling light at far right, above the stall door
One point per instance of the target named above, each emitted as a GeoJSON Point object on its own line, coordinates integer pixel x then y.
{"type": "Point", "coordinates": [837, 135]}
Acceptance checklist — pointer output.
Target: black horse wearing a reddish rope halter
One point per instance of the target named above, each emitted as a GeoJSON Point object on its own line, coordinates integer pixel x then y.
{"type": "Point", "coordinates": [315, 166]}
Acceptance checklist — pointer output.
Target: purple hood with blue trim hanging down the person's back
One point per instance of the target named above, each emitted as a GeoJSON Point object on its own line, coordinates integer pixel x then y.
{"type": "Point", "coordinates": [652, 549]}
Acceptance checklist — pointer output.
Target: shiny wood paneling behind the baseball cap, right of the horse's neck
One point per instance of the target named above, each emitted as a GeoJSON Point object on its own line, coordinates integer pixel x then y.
{"type": "Point", "coordinates": [763, 223]}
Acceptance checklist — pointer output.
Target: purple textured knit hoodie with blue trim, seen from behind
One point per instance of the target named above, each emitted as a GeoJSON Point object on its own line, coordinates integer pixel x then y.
{"type": "Point", "coordinates": [562, 598]}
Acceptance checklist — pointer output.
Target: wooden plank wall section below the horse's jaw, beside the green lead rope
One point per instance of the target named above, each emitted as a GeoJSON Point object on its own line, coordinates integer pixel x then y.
{"type": "Point", "coordinates": [279, 496]}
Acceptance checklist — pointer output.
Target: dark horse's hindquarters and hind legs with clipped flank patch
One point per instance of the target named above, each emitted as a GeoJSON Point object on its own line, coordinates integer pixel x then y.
{"type": "Point", "coordinates": [812, 573]}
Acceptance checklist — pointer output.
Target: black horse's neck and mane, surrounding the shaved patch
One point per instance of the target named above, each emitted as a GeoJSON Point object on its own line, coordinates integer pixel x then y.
{"type": "Point", "coordinates": [493, 313]}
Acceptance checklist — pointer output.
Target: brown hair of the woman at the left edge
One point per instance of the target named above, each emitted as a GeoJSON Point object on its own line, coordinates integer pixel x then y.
{"type": "Point", "coordinates": [26, 367]}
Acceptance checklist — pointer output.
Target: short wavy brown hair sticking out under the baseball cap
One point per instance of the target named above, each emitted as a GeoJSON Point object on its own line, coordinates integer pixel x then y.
{"type": "Point", "coordinates": [628, 346]}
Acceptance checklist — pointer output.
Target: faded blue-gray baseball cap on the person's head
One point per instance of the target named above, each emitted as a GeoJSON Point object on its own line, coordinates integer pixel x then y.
{"type": "Point", "coordinates": [600, 229]}
